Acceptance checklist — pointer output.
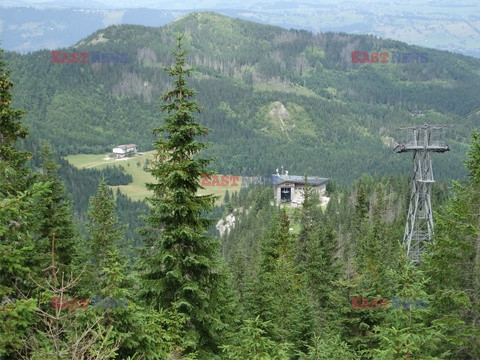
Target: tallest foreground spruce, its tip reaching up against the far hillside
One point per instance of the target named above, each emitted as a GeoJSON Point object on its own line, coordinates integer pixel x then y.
{"type": "Point", "coordinates": [181, 264]}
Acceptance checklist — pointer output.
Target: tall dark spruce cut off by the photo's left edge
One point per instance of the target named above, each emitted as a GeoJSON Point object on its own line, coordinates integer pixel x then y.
{"type": "Point", "coordinates": [19, 225]}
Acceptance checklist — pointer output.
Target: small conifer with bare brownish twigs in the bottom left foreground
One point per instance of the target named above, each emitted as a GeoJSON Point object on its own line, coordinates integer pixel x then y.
{"type": "Point", "coordinates": [62, 332]}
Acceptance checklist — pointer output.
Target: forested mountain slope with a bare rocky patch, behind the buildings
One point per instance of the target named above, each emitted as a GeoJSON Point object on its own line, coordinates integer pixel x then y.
{"type": "Point", "coordinates": [272, 97]}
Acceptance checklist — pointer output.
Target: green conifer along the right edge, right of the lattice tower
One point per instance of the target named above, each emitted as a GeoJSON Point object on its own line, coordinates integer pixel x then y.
{"type": "Point", "coordinates": [453, 263]}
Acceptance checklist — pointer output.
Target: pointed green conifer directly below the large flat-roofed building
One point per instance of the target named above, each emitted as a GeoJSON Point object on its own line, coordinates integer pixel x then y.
{"type": "Point", "coordinates": [281, 297]}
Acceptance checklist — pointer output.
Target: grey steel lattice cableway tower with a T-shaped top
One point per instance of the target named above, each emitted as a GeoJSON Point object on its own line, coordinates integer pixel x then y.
{"type": "Point", "coordinates": [419, 226]}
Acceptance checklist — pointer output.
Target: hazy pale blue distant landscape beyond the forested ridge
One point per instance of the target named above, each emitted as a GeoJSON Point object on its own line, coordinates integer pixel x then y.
{"type": "Point", "coordinates": [436, 24]}
